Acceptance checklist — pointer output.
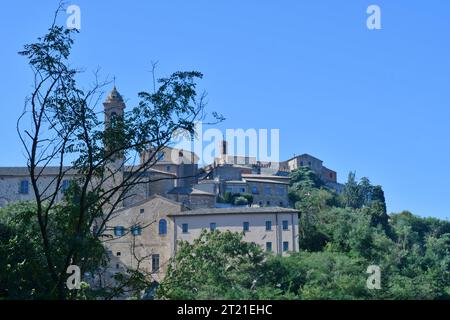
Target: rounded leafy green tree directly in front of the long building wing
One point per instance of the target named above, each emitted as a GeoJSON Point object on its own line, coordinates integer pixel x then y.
{"type": "Point", "coordinates": [217, 265]}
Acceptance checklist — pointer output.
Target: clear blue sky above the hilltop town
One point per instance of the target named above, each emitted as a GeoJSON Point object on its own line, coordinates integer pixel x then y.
{"type": "Point", "coordinates": [377, 102]}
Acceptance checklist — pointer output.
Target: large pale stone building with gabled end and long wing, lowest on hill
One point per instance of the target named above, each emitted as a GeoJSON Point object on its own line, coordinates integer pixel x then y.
{"type": "Point", "coordinates": [148, 232]}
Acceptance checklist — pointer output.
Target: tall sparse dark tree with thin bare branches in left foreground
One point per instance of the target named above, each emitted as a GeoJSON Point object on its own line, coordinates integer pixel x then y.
{"type": "Point", "coordinates": [67, 134]}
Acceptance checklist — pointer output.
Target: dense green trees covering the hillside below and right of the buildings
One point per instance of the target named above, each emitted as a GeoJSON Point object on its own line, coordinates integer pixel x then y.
{"type": "Point", "coordinates": [338, 243]}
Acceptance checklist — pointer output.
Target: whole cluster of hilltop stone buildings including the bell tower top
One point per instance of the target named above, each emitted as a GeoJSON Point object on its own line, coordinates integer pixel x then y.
{"type": "Point", "coordinates": [181, 199]}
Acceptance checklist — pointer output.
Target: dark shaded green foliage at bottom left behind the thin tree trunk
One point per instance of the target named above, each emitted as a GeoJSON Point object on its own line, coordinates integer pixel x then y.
{"type": "Point", "coordinates": [24, 273]}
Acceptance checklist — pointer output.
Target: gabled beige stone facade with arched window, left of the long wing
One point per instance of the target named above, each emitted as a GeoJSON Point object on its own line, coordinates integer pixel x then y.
{"type": "Point", "coordinates": [128, 249]}
